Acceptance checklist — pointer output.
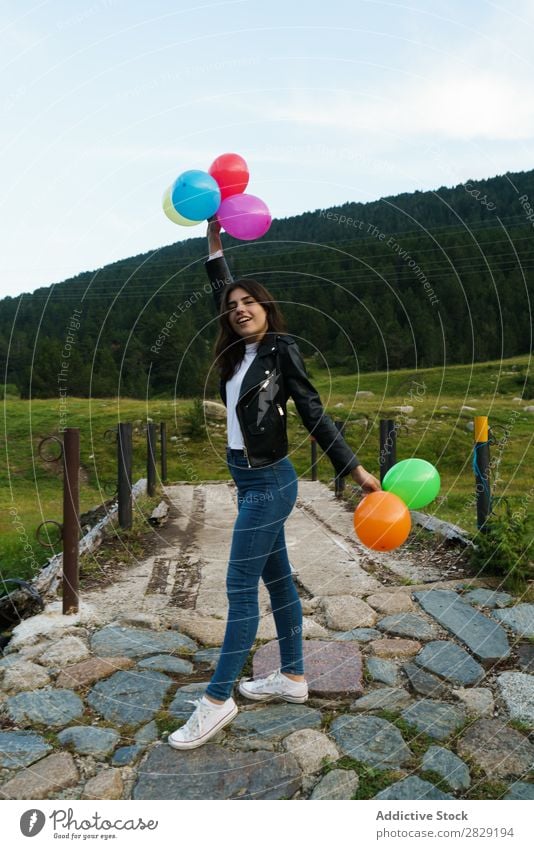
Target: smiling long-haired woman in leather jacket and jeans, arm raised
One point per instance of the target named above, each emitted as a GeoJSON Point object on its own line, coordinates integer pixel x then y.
{"type": "Point", "coordinates": [260, 368]}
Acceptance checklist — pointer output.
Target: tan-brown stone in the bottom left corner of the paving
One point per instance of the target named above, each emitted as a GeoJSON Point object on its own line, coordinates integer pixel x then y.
{"type": "Point", "coordinates": [47, 776]}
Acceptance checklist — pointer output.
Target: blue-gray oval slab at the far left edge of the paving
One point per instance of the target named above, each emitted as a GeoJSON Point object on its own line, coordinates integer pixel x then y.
{"type": "Point", "coordinates": [49, 707]}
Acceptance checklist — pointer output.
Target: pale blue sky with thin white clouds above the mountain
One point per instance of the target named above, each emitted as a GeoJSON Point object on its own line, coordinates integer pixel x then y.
{"type": "Point", "coordinates": [104, 103]}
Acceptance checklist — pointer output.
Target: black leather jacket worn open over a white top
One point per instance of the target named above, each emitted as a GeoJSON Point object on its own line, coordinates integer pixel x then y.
{"type": "Point", "coordinates": [276, 374]}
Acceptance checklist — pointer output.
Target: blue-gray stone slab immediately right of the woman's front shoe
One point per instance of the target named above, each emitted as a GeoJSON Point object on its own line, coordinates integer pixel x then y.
{"type": "Point", "coordinates": [275, 722]}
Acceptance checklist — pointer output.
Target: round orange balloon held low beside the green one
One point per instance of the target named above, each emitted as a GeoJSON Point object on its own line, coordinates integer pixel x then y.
{"type": "Point", "coordinates": [382, 521]}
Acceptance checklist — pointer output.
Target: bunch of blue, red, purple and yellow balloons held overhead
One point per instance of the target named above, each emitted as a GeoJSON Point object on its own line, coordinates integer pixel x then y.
{"type": "Point", "coordinates": [197, 195]}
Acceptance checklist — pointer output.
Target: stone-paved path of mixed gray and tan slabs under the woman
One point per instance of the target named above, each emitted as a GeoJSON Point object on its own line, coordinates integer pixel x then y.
{"type": "Point", "coordinates": [423, 677]}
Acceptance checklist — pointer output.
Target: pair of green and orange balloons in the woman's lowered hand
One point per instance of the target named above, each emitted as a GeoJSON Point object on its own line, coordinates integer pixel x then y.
{"type": "Point", "coordinates": [382, 519]}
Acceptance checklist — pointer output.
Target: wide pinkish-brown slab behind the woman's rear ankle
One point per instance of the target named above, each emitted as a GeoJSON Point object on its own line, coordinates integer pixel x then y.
{"type": "Point", "coordinates": [333, 668]}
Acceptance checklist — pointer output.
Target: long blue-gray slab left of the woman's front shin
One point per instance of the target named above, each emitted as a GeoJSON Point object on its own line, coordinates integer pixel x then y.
{"type": "Point", "coordinates": [114, 640]}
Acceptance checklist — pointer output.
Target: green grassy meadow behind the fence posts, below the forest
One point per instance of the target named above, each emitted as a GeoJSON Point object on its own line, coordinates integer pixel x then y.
{"type": "Point", "coordinates": [436, 429]}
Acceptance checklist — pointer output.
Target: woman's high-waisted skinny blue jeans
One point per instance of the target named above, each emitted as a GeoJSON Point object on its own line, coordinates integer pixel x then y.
{"type": "Point", "coordinates": [265, 498]}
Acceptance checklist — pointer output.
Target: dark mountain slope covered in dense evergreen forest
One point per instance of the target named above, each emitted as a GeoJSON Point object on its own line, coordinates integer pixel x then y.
{"type": "Point", "coordinates": [403, 282]}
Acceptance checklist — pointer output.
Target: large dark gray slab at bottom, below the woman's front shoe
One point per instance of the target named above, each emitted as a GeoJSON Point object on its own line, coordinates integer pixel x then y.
{"type": "Point", "coordinates": [214, 772]}
